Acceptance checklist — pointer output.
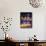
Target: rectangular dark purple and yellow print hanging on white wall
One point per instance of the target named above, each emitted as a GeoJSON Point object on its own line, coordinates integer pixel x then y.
{"type": "Point", "coordinates": [25, 19]}
